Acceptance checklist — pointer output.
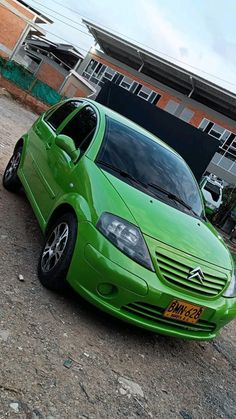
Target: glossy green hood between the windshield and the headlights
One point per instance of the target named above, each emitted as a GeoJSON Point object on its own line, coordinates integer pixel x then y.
{"type": "Point", "coordinates": [173, 227]}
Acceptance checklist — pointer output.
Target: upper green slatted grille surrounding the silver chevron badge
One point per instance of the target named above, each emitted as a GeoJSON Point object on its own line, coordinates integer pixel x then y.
{"type": "Point", "coordinates": [177, 272]}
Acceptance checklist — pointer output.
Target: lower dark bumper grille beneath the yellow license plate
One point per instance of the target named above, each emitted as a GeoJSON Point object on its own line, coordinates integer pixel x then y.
{"type": "Point", "coordinates": [154, 315]}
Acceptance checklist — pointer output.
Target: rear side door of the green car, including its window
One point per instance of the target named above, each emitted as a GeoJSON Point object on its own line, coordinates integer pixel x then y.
{"type": "Point", "coordinates": [38, 162]}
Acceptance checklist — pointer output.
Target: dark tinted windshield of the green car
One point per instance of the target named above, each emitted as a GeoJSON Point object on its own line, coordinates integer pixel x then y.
{"type": "Point", "coordinates": [157, 170]}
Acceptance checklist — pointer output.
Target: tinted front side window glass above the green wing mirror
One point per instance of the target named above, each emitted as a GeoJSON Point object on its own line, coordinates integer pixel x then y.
{"type": "Point", "coordinates": [81, 128]}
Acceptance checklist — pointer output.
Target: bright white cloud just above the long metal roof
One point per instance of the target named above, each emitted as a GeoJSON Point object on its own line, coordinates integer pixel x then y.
{"type": "Point", "coordinates": [182, 48]}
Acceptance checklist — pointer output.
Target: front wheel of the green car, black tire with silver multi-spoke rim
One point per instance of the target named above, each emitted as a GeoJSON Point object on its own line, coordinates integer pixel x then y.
{"type": "Point", "coordinates": [52, 272]}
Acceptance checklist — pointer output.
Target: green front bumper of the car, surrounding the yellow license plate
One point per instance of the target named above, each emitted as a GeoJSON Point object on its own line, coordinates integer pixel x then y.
{"type": "Point", "coordinates": [116, 284]}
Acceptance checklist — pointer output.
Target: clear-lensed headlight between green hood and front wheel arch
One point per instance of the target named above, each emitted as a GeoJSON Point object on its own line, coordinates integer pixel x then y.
{"type": "Point", "coordinates": [126, 237]}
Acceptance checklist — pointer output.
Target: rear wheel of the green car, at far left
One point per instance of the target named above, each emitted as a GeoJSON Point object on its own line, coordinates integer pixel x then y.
{"type": "Point", "coordinates": [10, 180]}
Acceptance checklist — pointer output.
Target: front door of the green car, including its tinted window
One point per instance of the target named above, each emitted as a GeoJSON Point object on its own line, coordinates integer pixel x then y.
{"type": "Point", "coordinates": [64, 174]}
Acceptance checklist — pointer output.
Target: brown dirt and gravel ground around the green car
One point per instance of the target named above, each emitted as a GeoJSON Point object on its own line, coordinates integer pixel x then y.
{"type": "Point", "coordinates": [112, 370]}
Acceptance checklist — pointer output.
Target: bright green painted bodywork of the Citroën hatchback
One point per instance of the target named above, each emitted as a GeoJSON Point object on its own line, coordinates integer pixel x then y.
{"type": "Point", "coordinates": [177, 241]}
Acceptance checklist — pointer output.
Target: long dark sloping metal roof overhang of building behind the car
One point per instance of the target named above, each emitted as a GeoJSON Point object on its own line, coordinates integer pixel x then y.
{"type": "Point", "coordinates": [164, 71]}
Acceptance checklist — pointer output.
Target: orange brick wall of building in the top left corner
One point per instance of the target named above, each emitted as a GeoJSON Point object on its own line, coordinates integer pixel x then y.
{"type": "Point", "coordinates": [12, 26]}
